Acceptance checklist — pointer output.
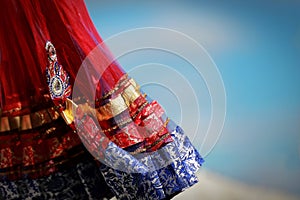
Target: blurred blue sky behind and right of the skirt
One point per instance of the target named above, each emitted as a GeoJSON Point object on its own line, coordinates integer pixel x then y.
{"type": "Point", "coordinates": [256, 48]}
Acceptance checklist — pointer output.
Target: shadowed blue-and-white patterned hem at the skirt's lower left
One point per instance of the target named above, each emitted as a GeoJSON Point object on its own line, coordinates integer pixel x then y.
{"type": "Point", "coordinates": [81, 181]}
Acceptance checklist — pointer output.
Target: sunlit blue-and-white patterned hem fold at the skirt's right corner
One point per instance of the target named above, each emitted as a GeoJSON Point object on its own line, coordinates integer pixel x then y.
{"type": "Point", "coordinates": [156, 175]}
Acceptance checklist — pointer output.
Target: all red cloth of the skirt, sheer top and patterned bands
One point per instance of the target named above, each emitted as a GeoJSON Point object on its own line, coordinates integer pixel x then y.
{"type": "Point", "coordinates": [25, 27]}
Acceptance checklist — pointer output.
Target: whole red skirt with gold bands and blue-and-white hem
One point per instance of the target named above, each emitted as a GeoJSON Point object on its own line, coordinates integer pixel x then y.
{"type": "Point", "coordinates": [41, 153]}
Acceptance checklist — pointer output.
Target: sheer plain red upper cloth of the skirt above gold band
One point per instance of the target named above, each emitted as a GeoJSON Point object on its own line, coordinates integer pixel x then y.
{"type": "Point", "coordinates": [25, 27]}
